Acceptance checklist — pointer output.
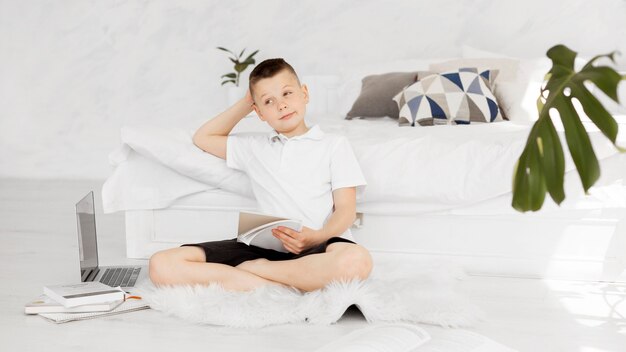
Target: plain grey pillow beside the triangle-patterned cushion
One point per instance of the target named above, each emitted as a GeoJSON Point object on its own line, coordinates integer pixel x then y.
{"type": "Point", "coordinates": [377, 92]}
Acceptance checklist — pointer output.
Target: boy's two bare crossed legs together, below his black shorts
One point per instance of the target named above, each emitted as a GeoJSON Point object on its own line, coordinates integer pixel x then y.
{"type": "Point", "coordinates": [187, 265]}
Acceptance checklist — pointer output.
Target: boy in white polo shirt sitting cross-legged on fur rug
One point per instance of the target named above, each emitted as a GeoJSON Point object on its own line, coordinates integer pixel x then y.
{"type": "Point", "coordinates": [296, 172]}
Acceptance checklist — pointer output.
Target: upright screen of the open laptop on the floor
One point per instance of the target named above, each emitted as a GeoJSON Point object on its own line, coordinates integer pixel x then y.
{"type": "Point", "coordinates": [87, 243]}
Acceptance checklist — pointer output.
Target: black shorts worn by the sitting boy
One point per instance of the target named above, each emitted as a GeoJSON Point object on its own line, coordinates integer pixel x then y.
{"type": "Point", "coordinates": [233, 253]}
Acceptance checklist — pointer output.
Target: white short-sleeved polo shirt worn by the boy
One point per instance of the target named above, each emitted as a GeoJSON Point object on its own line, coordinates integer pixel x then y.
{"type": "Point", "coordinates": [294, 177]}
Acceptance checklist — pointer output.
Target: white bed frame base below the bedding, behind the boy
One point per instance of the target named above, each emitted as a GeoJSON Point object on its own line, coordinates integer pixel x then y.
{"type": "Point", "coordinates": [575, 244]}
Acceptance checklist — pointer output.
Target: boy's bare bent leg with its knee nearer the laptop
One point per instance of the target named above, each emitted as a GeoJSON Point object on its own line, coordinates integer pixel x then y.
{"type": "Point", "coordinates": [186, 265]}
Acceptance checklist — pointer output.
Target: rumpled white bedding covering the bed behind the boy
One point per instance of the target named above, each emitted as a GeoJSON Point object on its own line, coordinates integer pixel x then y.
{"type": "Point", "coordinates": [421, 169]}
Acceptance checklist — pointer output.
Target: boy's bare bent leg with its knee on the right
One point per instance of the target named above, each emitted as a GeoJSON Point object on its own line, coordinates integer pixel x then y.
{"type": "Point", "coordinates": [341, 261]}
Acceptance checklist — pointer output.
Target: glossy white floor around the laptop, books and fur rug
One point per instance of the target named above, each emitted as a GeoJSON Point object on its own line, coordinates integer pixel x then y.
{"type": "Point", "coordinates": [38, 246]}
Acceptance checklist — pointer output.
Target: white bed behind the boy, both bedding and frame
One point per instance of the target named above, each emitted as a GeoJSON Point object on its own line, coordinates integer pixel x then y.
{"type": "Point", "coordinates": [441, 191]}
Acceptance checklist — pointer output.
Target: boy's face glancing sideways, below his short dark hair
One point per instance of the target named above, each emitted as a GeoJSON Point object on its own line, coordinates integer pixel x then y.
{"type": "Point", "coordinates": [281, 102]}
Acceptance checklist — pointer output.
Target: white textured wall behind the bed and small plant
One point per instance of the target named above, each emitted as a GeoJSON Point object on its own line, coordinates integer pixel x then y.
{"type": "Point", "coordinates": [73, 72]}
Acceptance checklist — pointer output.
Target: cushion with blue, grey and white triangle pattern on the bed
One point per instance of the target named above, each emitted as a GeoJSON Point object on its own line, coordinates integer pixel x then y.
{"type": "Point", "coordinates": [450, 98]}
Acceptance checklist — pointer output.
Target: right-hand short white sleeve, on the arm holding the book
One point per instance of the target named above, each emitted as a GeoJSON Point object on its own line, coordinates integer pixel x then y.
{"type": "Point", "coordinates": [344, 167]}
